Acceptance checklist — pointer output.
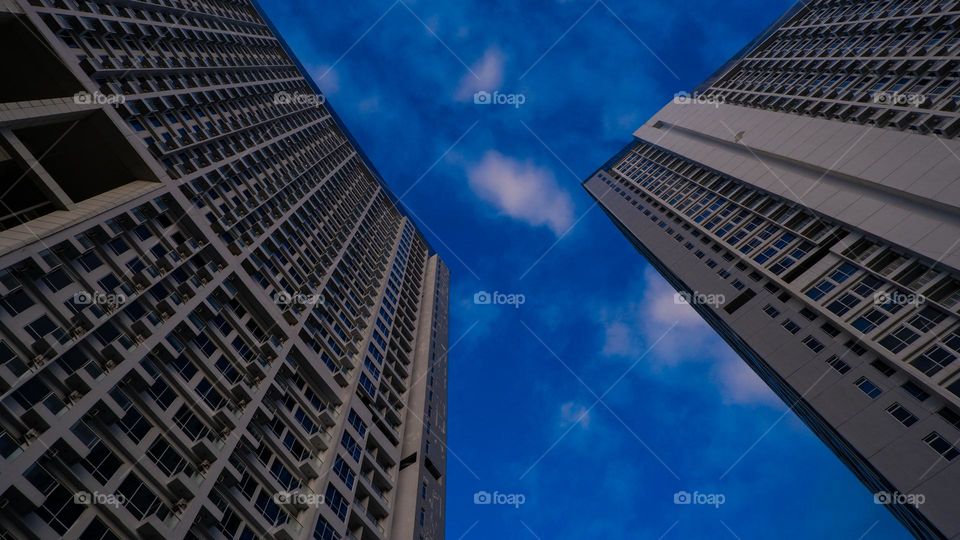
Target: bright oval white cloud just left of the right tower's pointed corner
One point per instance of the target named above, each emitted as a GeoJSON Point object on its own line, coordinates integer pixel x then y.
{"type": "Point", "coordinates": [522, 191]}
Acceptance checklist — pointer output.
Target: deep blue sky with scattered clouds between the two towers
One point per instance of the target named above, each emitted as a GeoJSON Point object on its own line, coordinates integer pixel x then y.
{"type": "Point", "coordinates": [598, 398]}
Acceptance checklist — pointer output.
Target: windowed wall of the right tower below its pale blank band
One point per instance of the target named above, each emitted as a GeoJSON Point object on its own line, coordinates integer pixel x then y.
{"type": "Point", "coordinates": [712, 234]}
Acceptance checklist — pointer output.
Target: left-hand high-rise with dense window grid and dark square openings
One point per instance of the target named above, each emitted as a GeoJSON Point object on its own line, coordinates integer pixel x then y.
{"type": "Point", "coordinates": [215, 320]}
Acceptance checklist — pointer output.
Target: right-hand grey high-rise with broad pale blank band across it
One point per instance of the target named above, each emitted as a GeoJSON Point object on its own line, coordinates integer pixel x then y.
{"type": "Point", "coordinates": [813, 185]}
